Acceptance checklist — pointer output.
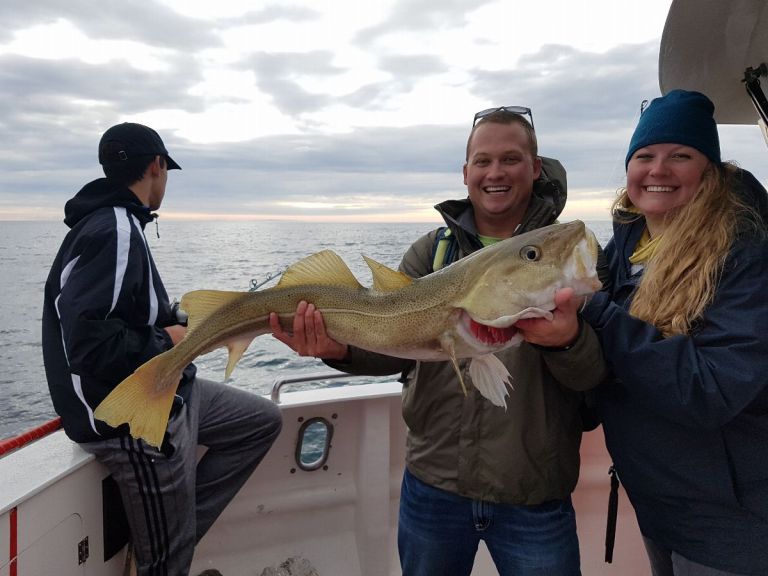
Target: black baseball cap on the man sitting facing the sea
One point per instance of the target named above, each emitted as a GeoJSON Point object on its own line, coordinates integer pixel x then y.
{"type": "Point", "coordinates": [129, 140]}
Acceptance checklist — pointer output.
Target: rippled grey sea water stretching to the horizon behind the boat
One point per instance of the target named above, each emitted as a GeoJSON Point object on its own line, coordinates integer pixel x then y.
{"type": "Point", "coordinates": [222, 255]}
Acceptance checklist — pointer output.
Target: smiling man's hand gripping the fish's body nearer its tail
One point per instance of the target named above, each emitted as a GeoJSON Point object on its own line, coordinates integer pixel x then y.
{"type": "Point", "coordinates": [308, 337]}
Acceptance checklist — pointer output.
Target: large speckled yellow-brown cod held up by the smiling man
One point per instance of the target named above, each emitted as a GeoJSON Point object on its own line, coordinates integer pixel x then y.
{"type": "Point", "coordinates": [465, 310]}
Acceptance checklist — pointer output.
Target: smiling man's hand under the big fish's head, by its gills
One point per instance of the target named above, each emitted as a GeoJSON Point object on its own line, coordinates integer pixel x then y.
{"type": "Point", "coordinates": [562, 330]}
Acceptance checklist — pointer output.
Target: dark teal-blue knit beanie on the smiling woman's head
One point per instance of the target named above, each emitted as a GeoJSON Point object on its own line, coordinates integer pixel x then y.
{"type": "Point", "coordinates": [679, 117]}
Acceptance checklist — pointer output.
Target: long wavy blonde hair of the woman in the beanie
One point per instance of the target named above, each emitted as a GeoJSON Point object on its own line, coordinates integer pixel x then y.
{"type": "Point", "coordinates": [681, 279]}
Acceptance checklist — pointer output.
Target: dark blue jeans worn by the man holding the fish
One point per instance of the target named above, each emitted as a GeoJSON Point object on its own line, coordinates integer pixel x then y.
{"type": "Point", "coordinates": [439, 532]}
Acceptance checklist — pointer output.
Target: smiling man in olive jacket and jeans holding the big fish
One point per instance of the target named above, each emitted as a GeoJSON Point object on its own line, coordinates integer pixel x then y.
{"type": "Point", "coordinates": [477, 470]}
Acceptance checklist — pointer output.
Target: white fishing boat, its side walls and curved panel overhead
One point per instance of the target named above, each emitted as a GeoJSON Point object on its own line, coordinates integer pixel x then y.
{"type": "Point", "coordinates": [333, 508]}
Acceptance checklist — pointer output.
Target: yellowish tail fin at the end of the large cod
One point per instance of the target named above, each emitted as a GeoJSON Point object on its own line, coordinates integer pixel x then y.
{"type": "Point", "coordinates": [143, 401]}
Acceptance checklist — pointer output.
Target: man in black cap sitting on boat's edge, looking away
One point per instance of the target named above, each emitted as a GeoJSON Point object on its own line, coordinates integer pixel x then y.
{"type": "Point", "coordinates": [106, 312]}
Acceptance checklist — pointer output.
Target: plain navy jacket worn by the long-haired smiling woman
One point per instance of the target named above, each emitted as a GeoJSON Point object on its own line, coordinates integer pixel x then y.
{"type": "Point", "coordinates": [686, 417]}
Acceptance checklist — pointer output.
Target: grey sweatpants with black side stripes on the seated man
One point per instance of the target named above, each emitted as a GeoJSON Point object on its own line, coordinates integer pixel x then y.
{"type": "Point", "coordinates": [171, 499]}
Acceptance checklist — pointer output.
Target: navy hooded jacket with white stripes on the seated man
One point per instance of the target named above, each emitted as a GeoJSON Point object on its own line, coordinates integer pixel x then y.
{"type": "Point", "coordinates": [105, 307]}
